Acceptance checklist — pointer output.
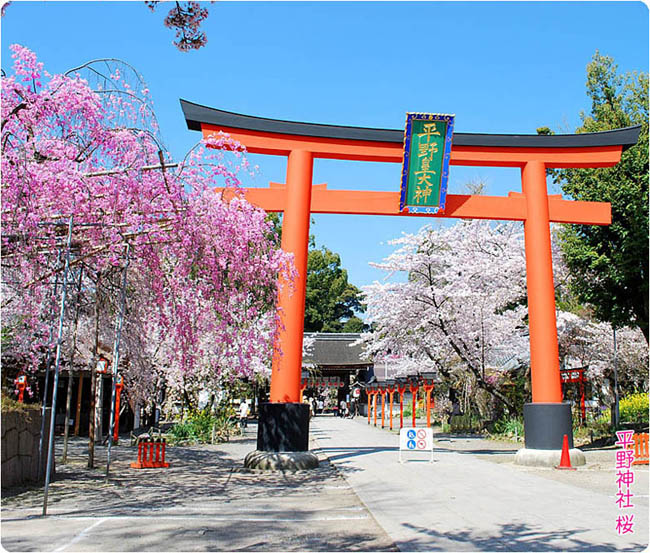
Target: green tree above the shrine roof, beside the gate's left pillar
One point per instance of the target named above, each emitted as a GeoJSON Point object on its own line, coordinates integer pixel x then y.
{"type": "Point", "coordinates": [331, 300]}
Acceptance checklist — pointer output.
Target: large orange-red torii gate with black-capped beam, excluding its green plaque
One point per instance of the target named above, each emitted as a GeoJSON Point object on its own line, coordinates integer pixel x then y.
{"type": "Point", "coordinates": [533, 154]}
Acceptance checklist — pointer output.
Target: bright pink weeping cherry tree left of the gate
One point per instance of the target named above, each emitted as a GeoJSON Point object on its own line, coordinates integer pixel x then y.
{"type": "Point", "coordinates": [203, 271]}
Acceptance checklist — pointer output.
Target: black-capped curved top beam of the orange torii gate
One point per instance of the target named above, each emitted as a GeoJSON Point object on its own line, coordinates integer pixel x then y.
{"type": "Point", "coordinates": [277, 137]}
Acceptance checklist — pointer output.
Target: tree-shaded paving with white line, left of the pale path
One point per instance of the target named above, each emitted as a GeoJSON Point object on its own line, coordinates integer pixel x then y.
{"type": "Point", "coordinates": [206, 501]}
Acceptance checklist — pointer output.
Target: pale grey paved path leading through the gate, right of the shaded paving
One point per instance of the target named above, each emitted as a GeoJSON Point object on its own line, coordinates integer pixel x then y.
{"type": "Point", "coordinates": [473, 498]}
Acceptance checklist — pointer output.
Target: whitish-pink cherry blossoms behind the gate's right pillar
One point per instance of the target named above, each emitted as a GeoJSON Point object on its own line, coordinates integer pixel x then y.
{"type": "Point", "coordinates": [461, 308]}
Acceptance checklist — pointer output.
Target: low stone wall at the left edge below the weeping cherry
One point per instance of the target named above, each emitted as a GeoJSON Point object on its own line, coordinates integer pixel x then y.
{"type": "Point", "coordinates": [20, 437]}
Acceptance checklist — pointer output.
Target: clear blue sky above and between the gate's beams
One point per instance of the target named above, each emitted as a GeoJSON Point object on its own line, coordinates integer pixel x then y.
{"type": "Point", "coordinates": [506, 67]}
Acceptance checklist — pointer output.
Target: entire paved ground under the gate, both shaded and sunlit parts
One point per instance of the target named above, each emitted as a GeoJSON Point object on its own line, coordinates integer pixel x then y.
{"type": "Point", "coordinates": [471, 498]}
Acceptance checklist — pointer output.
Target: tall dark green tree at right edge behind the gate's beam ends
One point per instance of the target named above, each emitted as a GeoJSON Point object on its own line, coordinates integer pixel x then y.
{"type": "Point", "coordinates": [609, 264]}
